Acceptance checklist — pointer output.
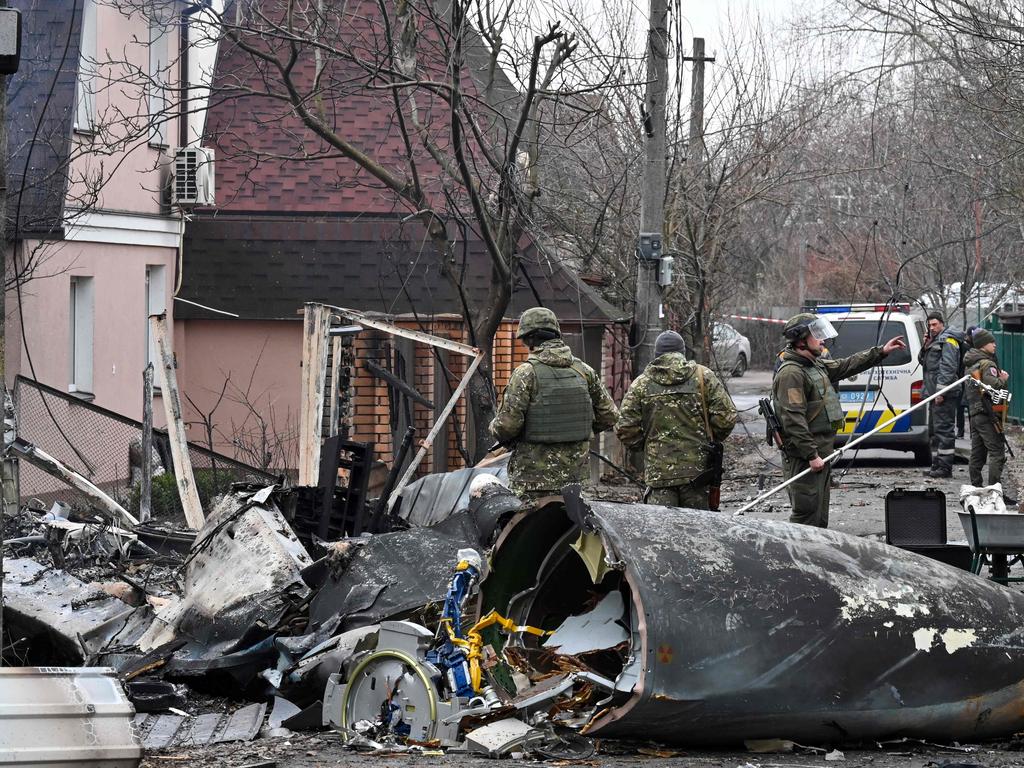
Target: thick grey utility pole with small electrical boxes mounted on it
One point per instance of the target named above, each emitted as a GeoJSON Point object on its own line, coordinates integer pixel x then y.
{"type": "Point", "coordinates": [647, 316]}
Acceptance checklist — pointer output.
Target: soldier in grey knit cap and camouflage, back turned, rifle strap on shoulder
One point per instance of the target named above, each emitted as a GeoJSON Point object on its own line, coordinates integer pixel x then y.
{"type": "Point", "coordinates": [674, 411]}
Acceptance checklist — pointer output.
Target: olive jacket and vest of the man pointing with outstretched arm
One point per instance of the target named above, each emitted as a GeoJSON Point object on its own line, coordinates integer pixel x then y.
{"type": "Point", "coordinates": [803, 393]}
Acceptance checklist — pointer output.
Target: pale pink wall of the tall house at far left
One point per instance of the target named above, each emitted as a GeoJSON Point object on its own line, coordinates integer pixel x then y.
{"type": "Point", "coordinates": [113, 242]}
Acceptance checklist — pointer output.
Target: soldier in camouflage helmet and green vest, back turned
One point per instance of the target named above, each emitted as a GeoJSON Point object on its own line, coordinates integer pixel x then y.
{"type": "Point", "coordinates": [552, 406]}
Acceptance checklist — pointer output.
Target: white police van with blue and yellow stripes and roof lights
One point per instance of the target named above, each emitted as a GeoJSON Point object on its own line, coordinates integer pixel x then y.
{"type": "Point", "coordinates": [880, 394]}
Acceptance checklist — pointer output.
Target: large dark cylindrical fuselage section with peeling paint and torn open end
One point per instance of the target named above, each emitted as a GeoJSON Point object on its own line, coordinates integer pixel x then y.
{"type": "Point", "coordinates": [755, 629]}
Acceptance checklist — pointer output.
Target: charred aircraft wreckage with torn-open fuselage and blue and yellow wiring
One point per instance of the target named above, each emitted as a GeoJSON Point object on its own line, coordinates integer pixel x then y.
{"type": "Point", "coordinates": [613, 620]}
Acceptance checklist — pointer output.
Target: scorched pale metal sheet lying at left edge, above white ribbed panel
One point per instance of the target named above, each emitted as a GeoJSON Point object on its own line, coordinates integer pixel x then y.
{"type": "Point", "coordinates": [67, 620]}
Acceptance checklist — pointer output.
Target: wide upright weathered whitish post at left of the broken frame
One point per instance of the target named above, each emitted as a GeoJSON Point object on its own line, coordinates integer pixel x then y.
{"type": "Point", "coordinates": [316, 327]}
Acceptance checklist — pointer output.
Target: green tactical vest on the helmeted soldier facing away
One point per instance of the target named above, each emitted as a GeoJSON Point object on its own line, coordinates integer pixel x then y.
{"type": "Point", "coordinates": [561, 410]}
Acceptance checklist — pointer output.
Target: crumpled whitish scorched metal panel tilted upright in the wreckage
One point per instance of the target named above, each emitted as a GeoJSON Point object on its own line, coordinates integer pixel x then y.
{"type": "Point", "coordinates": [244, 573]}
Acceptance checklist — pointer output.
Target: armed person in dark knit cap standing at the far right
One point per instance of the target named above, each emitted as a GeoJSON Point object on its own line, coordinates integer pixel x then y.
{"type": "Point", "coordinates": [987, 435]}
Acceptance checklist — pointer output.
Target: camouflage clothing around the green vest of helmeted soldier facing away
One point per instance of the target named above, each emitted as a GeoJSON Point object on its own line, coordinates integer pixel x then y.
{"type": "Point", "coordinates": [536, 466]}
